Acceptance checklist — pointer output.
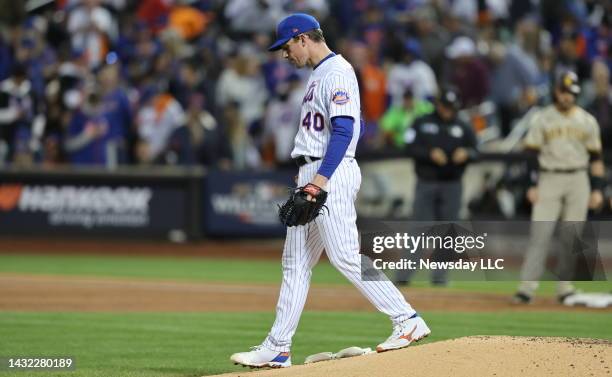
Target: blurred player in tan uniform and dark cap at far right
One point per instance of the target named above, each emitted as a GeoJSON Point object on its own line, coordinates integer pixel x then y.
{"type": "Point", "coordinates": [568, 144]}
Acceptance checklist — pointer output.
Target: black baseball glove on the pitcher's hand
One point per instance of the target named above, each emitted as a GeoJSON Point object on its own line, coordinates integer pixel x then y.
{"type": "Point", "coordinates": [298, 210]}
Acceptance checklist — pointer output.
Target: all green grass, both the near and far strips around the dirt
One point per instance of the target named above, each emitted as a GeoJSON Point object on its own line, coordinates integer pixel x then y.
{"type": "Point", "coordinates": [196, 344]}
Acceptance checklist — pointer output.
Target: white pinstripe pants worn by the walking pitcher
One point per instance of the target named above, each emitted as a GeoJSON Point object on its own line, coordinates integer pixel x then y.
{"type": "Point", "coordinates": [336, 232]}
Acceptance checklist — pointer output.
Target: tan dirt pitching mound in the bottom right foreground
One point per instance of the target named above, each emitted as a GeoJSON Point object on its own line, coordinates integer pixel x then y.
{"type": "Point", "coordinates": [471, 356]}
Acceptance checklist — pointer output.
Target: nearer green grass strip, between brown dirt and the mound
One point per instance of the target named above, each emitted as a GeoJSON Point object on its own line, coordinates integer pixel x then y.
{"type": "Point", "coordinates": [181, 344]}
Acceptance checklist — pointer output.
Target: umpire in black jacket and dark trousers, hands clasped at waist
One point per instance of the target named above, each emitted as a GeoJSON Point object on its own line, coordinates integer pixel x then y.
{"type": "Point", "coordinates": [441, 146]}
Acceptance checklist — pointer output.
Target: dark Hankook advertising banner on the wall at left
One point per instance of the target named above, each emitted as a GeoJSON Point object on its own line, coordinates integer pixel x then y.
{"type": "Point", "coordinates": [82, 205]}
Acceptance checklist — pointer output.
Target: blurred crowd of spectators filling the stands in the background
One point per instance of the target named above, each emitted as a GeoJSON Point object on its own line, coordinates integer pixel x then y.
{"type": "Point", "coordinates": [110, 82]}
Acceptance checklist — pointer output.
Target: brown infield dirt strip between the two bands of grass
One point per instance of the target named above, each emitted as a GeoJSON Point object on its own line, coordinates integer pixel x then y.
{"type": "Point", "coordinates": [21, 292]}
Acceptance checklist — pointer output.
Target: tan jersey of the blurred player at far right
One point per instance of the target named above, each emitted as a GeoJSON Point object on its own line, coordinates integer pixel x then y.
{"type": "Point", "coordinates": [564, 139]}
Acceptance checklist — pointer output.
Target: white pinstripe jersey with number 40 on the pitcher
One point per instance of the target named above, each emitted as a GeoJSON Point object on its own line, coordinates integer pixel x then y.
{"type": "Point", "coordinates": [332, 90]}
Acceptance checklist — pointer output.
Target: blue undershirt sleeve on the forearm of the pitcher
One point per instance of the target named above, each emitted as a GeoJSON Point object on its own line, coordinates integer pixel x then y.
{"type": "Point", "coordinates": [342, 134]}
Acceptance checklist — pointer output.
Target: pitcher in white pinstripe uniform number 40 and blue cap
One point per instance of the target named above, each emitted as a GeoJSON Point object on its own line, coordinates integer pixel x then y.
{"type": "Point", "coordinates": [321, 212]}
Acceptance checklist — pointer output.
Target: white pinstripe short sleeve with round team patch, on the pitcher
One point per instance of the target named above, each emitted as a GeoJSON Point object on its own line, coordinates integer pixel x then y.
{"type": "Point", "coordinates": [341, 95]}
